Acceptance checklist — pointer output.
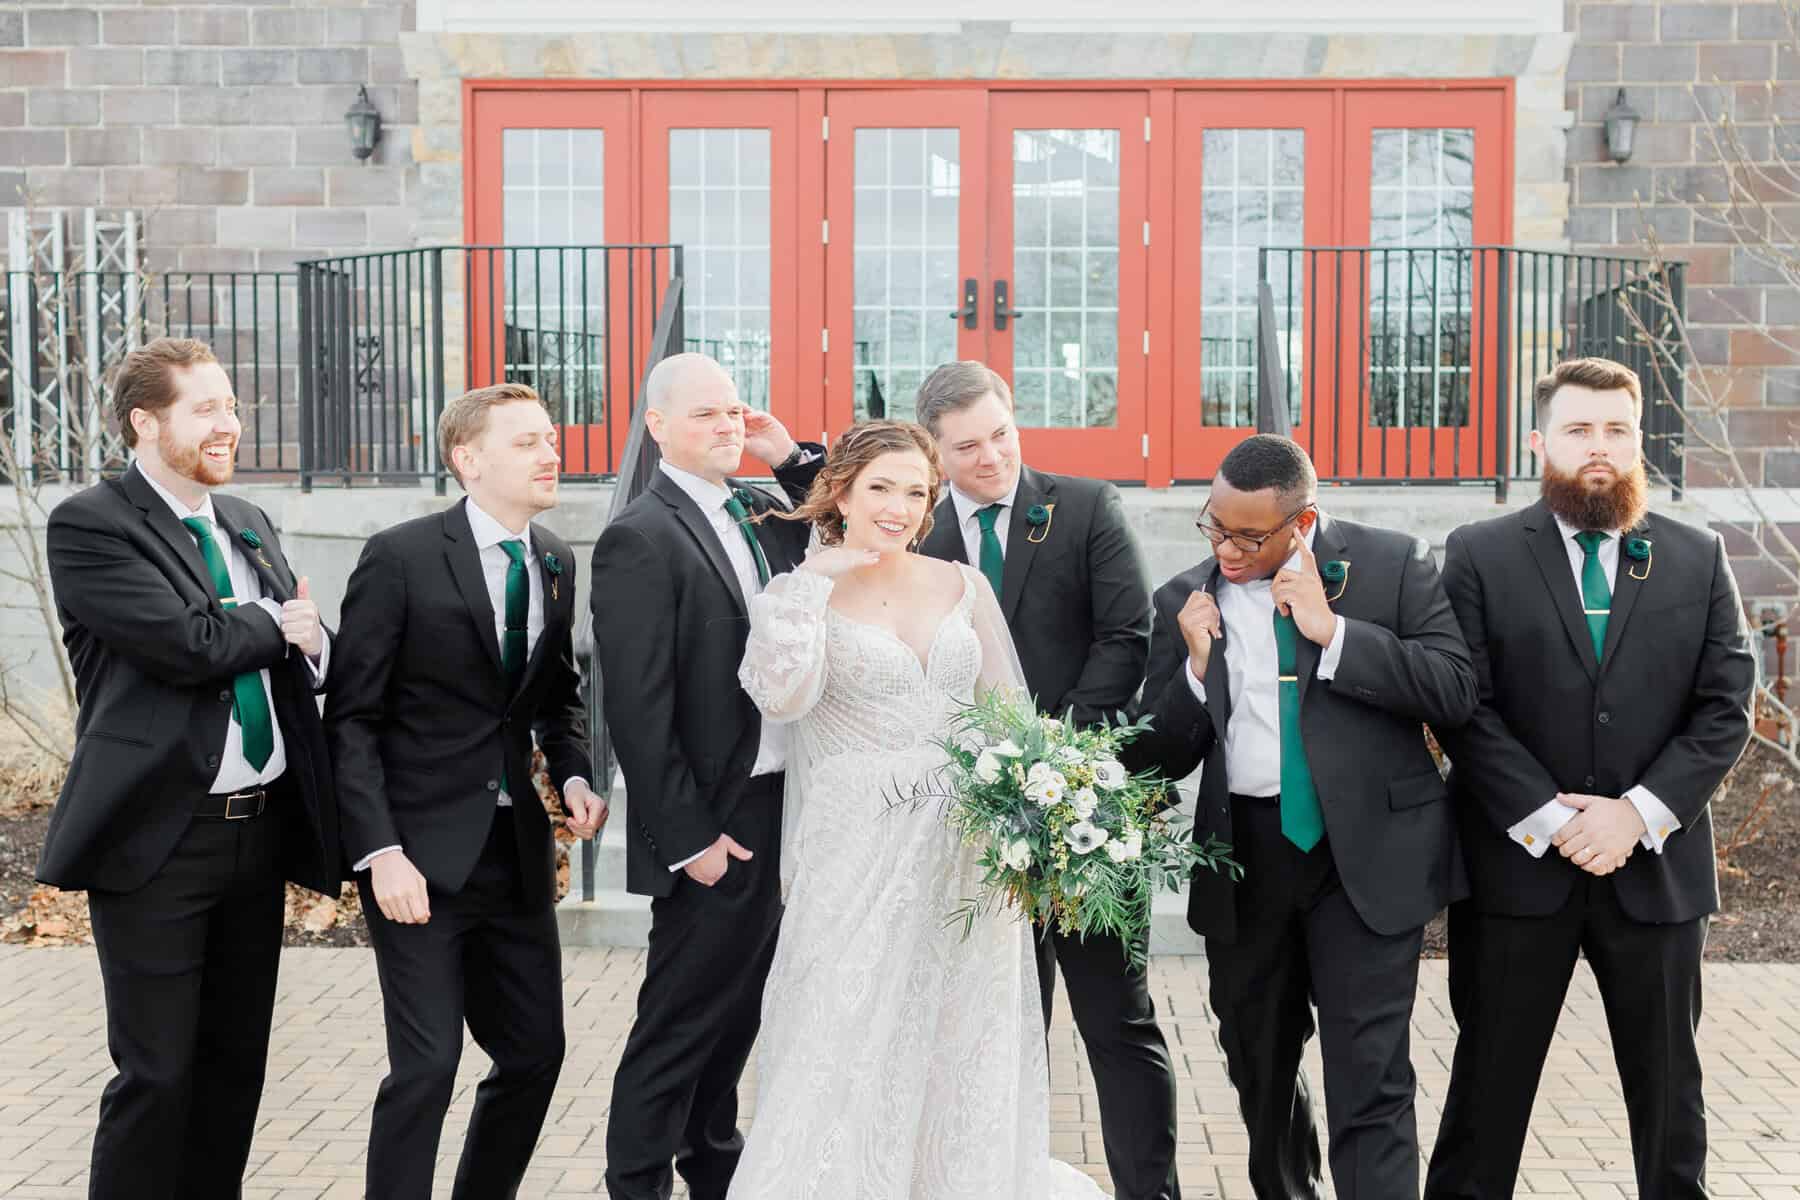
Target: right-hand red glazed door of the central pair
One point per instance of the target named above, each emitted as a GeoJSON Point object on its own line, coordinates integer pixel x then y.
{"type": "Point", "coordinates": [1066, 264]}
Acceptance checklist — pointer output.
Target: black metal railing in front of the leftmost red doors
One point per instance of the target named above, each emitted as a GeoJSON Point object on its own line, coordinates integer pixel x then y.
{"type": "Point", "coordinates": [386, 334]}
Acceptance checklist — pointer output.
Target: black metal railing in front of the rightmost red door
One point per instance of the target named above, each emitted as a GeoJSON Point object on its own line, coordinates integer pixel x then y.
{"type": "Point", "coordinates": [1416, 364]}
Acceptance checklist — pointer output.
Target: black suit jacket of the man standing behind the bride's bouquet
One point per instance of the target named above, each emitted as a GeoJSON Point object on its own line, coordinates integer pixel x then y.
{"type": "Point", "coordinates": [1074, 593]}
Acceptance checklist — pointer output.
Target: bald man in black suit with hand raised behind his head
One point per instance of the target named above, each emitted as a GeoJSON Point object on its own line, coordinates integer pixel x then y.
{"type": "Point", "coordinates": [672, 578]}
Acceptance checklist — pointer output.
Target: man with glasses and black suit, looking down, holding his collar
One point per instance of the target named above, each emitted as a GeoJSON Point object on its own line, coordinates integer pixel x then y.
{"type": "Point", "coordinates": [1299, 665]}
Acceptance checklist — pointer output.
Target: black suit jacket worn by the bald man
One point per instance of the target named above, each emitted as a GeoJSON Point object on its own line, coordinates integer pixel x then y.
{"type": "Point", "coordinates": [670, 625]}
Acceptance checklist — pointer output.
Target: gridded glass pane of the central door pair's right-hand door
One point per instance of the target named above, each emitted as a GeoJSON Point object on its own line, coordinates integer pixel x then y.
{"type": "Point", "coordinates": [1066, 202]}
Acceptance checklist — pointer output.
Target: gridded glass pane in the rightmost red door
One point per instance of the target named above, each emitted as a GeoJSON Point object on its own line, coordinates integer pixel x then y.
{"type": "Point", "coordinates": [1421, 280]}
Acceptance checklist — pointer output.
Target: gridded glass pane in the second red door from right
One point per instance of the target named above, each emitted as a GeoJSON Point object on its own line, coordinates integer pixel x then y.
{"type": "Point", "coordinates": [1252, 199]}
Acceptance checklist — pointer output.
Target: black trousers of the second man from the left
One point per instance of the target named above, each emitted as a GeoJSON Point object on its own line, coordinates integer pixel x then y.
{"type": "Point", "coordinates": [494, 962]}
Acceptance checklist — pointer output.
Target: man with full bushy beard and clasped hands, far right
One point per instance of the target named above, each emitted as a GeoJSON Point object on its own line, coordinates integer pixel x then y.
{"type": "Point", "coordinates": [1615, 679]}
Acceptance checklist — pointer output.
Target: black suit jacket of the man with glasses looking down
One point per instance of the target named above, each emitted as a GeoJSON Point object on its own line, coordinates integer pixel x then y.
{"type": "Point", "coordinates": [1405, 665]}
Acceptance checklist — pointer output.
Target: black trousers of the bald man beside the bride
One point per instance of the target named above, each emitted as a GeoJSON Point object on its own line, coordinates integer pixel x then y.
{"type": "Point", "coordinates": [676, 1091]}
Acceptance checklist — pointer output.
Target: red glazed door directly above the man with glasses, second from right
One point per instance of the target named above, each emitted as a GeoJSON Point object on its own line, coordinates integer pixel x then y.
{"type": "Point", "coordinates": [1254, 172]}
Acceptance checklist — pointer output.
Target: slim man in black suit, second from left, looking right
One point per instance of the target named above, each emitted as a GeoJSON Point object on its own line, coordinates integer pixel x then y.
{"type": "Point", "coordinates": [456, 650]}
